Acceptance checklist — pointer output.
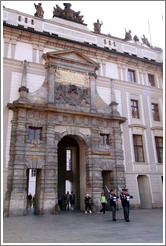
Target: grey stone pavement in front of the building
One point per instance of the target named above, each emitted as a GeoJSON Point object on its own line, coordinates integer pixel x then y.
{"type": "Point", "coordinates": [146, 226]}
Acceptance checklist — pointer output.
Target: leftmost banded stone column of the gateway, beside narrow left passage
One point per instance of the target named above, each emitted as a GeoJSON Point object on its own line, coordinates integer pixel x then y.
{"type": "Point", "coordinates": [18, 192]}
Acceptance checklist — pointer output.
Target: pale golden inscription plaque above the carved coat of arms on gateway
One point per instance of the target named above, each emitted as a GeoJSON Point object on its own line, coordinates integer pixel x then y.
{"type": "Point", "coordinates": [72, 77]}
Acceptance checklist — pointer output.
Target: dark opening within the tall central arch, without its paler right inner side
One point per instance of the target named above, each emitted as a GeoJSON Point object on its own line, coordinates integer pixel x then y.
{"type": "Point", "coordinates": [69, 169]}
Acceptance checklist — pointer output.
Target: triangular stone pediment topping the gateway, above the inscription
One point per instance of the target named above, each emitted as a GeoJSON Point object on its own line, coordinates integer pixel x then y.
{"type": "Point", "coordinates": [70, 55]}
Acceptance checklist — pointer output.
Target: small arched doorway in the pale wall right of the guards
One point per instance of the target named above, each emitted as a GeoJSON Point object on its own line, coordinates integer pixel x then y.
{"type": "Point", "coordinates": [144, 191]}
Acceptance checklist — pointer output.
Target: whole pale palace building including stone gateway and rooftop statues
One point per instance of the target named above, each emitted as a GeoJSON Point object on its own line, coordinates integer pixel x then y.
{"type": "Point", "coordinates": [82, 111]}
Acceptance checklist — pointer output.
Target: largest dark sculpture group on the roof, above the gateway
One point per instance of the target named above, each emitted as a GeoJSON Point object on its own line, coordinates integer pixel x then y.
{"type": "Point", "coordinates": [67, 13]}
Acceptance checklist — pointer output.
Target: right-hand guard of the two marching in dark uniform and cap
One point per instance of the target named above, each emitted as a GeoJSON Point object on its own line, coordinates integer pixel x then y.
{"type": "Point", "coordinates": [125, 197]}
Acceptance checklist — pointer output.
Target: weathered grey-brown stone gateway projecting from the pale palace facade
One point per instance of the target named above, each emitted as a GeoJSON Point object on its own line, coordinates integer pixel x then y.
{"type": "Point", "coordinates": [69, 116]}
